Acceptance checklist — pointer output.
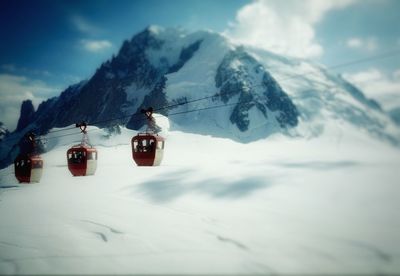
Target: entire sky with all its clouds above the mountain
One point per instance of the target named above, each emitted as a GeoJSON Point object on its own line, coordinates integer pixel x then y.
{"type": "Point", "coordinates": [46, 45]}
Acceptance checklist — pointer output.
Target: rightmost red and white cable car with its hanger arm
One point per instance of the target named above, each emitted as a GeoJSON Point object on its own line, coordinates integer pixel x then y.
{"type": "Point", "coordinates": [148, 148]}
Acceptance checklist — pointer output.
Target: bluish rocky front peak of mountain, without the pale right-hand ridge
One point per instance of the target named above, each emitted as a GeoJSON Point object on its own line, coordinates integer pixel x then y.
{"type": "Point", "coordinates": [160, 67]}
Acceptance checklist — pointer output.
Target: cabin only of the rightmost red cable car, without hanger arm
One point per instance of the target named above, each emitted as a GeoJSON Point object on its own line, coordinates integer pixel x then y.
{"type": "Point", "coordinates": [147, 149]}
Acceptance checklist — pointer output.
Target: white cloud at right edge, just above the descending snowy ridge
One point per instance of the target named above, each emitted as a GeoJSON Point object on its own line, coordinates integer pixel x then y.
{"type": "Point", "coordinates": [376, 85]}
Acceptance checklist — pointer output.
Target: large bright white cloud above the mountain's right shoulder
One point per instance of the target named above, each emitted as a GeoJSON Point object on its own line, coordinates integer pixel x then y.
{"type": "Point", "coordinates": [285, 27]}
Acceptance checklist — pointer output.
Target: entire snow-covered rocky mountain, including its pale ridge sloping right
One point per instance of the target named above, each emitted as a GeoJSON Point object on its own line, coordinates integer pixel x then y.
{"type": "Point", "coordinates": [257, 92]}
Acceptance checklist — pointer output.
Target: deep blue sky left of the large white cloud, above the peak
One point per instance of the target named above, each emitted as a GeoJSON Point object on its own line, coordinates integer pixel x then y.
{"type": "Point", "coordinates": [60, 37]}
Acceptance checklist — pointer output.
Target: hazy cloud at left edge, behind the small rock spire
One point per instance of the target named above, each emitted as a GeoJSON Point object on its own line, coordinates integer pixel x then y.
{"type": "Point", "coordinates": [14, 89]}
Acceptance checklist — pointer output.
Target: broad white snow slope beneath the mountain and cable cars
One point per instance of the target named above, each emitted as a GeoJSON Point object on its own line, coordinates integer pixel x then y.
{"type": "Point", "coordinates": [278, 205]}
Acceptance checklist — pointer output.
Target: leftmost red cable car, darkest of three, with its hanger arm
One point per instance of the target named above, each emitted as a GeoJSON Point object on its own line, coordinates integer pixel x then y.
{"type": "Point", "coordinates": [28, 167]}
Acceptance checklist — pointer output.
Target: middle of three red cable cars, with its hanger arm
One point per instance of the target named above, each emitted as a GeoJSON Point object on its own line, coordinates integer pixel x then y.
{"type": "Point", "coordinates": [82, 158]}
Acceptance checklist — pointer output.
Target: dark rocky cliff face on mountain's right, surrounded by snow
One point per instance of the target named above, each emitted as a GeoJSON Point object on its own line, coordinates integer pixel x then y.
{"type": "Point", "coordinates": [240, 76]}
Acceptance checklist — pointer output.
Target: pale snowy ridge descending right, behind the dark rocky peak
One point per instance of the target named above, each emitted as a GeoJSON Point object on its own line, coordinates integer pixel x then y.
{"type": "Point", "coordinates": [321, 96]}
